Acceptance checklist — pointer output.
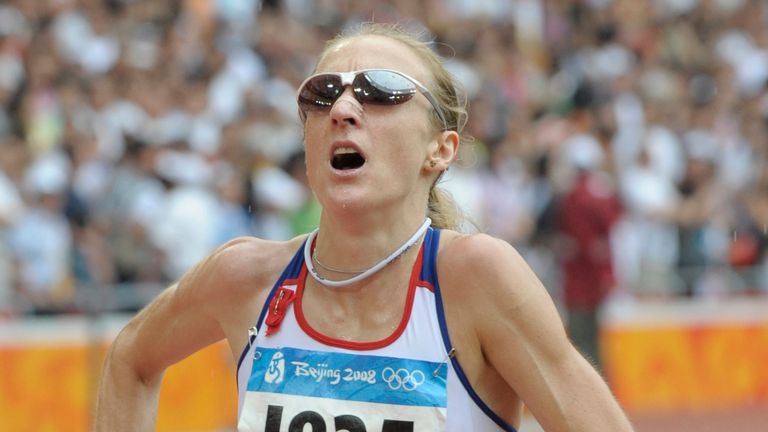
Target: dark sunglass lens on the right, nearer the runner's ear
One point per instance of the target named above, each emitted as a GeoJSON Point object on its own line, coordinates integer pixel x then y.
{"type": "Point", "coordinates": [383, 88]}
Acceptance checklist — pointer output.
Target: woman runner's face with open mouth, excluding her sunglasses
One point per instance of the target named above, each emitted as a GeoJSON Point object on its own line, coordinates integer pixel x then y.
{"type": "Point", "coordinates": [391, 143]}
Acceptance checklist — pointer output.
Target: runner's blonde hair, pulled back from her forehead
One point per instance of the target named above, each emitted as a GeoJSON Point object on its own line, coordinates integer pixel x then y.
{"type": "Point", "coordinates": [441, 207]}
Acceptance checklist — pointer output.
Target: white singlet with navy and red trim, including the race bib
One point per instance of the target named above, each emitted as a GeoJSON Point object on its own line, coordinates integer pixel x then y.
{"type": "Point", "coordinates": [291, 376]}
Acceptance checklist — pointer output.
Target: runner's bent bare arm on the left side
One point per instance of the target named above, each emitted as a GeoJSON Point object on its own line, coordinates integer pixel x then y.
{"type": "Point", "coordinates": [183, 319]}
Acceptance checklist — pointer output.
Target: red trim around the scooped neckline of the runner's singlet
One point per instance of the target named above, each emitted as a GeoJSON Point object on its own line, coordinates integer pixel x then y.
{"type": "Point", "coordinates": [359, 346]}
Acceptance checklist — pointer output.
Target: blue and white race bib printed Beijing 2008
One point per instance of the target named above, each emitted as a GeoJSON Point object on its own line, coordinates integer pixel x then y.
{"type": "Point", "coordinates": [294, 390]}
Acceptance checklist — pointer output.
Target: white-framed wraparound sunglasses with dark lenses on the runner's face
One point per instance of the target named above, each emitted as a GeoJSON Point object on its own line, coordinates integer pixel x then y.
{"type": "Point", "coordinates": [370, 86]}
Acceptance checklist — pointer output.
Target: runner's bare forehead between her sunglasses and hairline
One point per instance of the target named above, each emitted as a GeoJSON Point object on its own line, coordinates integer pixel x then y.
{"type": "Point", "coordinates": [371, 52]}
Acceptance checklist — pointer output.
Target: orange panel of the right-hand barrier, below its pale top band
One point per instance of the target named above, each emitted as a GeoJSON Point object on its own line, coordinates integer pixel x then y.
{"type": "Point", "coordinates": [698, 367]}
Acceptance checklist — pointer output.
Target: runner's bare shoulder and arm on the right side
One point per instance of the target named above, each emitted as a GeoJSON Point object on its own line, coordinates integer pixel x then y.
{"type": "Point", "coordinates": [505, 328]}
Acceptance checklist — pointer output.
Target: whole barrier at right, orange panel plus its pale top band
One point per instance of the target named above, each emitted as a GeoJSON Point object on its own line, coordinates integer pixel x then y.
{"type": "Point", "coordinates": [689, 355]}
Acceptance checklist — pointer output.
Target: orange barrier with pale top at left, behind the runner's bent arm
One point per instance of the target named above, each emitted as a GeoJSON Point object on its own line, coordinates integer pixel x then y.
{"type": "Point", "coordinates": [48, 381]}
